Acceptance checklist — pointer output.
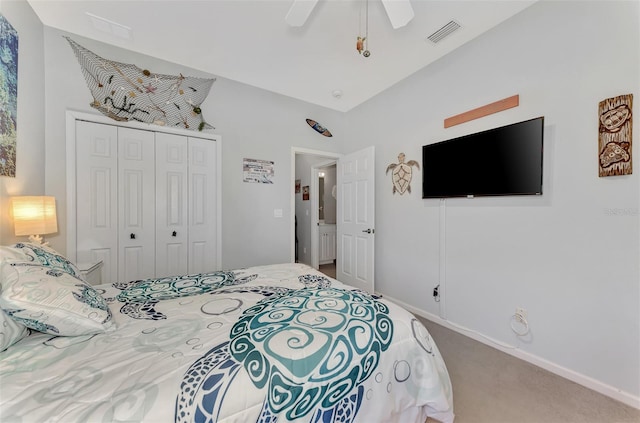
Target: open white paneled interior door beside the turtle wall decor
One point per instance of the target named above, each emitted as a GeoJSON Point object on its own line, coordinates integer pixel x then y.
{"type": "Point", "coordinates": [355, 216]}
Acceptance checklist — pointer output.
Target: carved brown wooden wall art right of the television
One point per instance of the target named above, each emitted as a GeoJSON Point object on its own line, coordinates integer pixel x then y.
{"type": "Point", "coordinates": [614, 136]}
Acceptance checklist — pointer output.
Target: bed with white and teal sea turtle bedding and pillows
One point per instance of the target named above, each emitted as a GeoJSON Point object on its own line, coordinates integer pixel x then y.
{"type": "Point", "coordinates": [262, 344]}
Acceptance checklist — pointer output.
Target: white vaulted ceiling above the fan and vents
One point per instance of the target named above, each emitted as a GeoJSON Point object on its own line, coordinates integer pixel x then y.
{"type": "Point", "coordinates": [250, 42]}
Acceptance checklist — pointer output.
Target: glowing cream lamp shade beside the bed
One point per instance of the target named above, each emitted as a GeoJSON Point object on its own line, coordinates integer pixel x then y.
{"type": "Point", "coordinates": [34, 215]}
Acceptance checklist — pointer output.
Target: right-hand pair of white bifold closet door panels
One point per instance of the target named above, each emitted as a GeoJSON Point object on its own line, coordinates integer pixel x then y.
{"type": "Point", "coordinates": [185, 205]}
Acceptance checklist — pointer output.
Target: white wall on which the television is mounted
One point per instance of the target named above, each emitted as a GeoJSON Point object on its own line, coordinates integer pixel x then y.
{"type": "Point", "coordinates": [570, 257]}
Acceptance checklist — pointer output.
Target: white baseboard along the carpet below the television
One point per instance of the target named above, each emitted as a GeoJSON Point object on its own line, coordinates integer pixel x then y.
{"type": "Point", "coordinates": [569, 374]}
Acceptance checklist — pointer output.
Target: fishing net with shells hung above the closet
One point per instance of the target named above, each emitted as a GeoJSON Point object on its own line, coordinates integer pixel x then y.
{"type": "Point", "coordinates": [125, 92]}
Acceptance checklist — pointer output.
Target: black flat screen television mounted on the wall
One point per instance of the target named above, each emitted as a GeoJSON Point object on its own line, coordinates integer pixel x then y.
{"type": "Point", "coordinates": [499, 161]}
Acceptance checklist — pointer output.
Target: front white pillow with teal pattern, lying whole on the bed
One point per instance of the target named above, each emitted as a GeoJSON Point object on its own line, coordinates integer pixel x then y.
{"type": "Point", "coordinates": [51, 300]}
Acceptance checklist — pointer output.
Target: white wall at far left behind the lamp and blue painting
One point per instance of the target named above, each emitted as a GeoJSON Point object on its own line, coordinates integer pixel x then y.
{"type": "Point", "coordinates": [29, 178]}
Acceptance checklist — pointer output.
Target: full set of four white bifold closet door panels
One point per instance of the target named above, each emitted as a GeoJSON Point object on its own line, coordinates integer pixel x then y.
{"type": "Point", "coordinates": [146, 201]}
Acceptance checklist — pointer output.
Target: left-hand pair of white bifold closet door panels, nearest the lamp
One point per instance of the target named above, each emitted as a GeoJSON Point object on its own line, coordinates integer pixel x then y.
{"type": "Point", "coordinates": [115, 194]}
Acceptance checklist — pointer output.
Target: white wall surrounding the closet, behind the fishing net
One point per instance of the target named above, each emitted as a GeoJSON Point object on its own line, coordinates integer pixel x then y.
{"type": "Point", "coordinates": [253, 124]}
